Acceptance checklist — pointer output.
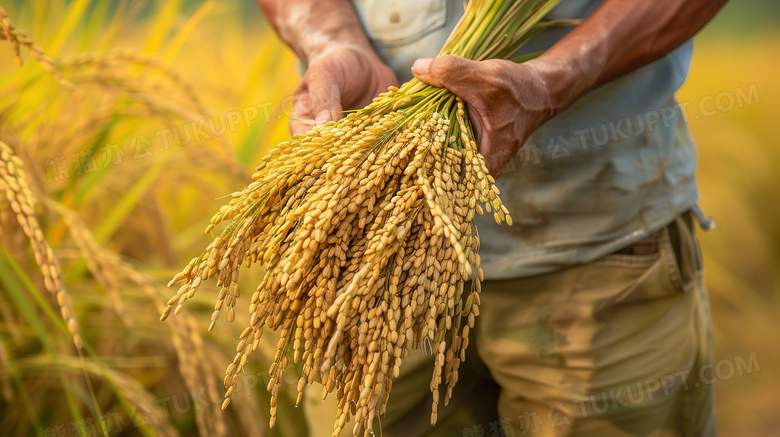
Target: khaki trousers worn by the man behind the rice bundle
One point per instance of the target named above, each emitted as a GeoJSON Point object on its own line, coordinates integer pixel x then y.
{"type": "Point", "coordinates": [608, 349]}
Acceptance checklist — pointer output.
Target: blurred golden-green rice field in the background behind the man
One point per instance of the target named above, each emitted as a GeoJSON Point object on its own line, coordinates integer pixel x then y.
{"type": "Point", "coordinates": [173, 104]}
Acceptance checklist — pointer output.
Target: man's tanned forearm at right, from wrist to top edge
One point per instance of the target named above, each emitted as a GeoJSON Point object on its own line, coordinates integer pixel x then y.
{"type": "Point", "coordinates": [619, 37]}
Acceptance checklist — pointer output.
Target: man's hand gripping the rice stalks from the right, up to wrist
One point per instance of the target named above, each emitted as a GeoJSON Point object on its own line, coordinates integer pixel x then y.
{"type": "Point", "coordinates": [507, 102]}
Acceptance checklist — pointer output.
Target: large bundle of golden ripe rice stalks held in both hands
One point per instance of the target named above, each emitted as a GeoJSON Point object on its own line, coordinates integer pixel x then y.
{"type": "Point", "coordinates": [365, 226]}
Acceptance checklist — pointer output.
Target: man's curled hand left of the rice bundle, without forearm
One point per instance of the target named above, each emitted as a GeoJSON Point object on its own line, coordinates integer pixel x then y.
{"type": "Point", "coordinates": [344, 76]}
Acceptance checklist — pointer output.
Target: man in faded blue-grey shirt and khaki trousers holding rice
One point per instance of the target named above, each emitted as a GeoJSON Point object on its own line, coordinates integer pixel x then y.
{"type": "Point", "coordinates": [594, 319]}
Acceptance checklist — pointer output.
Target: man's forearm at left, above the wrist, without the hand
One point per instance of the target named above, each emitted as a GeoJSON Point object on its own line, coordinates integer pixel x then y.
{"type": "Point", "coordinates": [309, 27]}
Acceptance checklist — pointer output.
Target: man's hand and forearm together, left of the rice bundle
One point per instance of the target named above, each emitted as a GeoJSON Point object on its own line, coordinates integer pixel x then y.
{"type": "Point", "coordinates": [343, 72]}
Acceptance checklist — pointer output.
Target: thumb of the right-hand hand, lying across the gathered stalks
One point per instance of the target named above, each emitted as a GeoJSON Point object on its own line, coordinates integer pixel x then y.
{"type": "Point", "coordinates": [448, 71]}
